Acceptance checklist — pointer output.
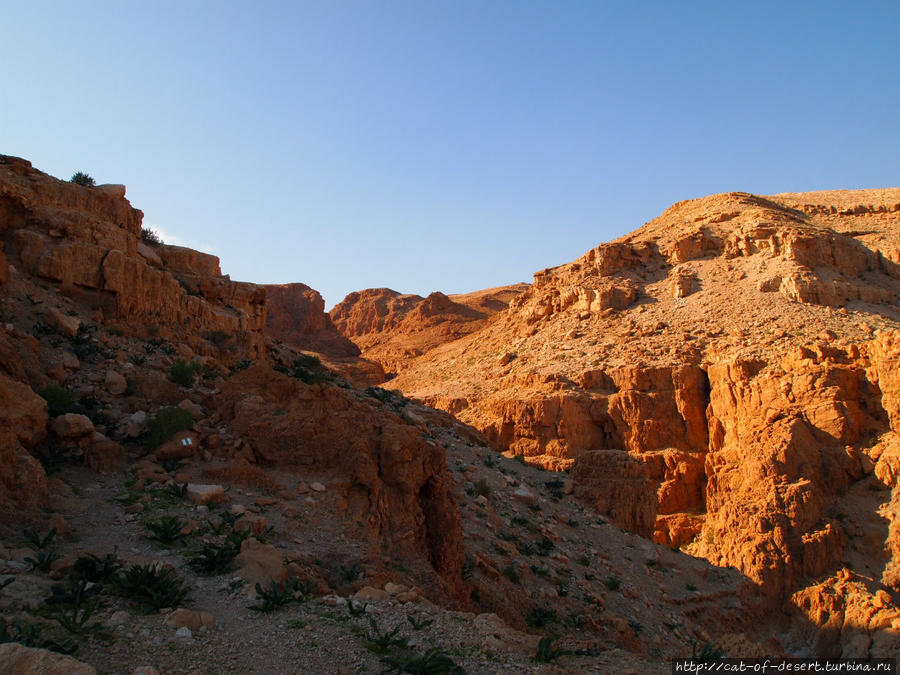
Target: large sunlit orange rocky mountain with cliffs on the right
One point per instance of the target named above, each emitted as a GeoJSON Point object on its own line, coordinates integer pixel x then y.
{"type": "Point", "coordinates": [743, 348]}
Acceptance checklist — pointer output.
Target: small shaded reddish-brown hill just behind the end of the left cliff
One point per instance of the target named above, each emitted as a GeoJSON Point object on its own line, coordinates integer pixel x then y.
{"type": "Point", "coordinates": [295, 314]}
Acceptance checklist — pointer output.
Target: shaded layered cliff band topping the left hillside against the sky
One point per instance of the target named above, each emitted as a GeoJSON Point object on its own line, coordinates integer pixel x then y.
{"type": "Point", "coordinates": [88, 240]}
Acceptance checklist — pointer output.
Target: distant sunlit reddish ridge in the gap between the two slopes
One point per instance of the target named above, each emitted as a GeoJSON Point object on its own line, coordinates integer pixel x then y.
{"type": "Point", "coordinates": [393, 328]}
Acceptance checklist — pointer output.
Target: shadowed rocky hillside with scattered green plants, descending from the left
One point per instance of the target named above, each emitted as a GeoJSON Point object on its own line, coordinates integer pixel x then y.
{"type": "Point", "coordinates": [184, 492]}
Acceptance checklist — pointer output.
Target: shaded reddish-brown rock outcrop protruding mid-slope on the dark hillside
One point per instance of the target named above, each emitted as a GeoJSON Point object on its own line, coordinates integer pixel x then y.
{"type": "Point", "coordinates": [389, 475]}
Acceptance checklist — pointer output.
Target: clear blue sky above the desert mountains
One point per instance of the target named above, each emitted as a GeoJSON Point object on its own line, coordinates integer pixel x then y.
{"type": "Point", "coordinates": [443, 145]}
